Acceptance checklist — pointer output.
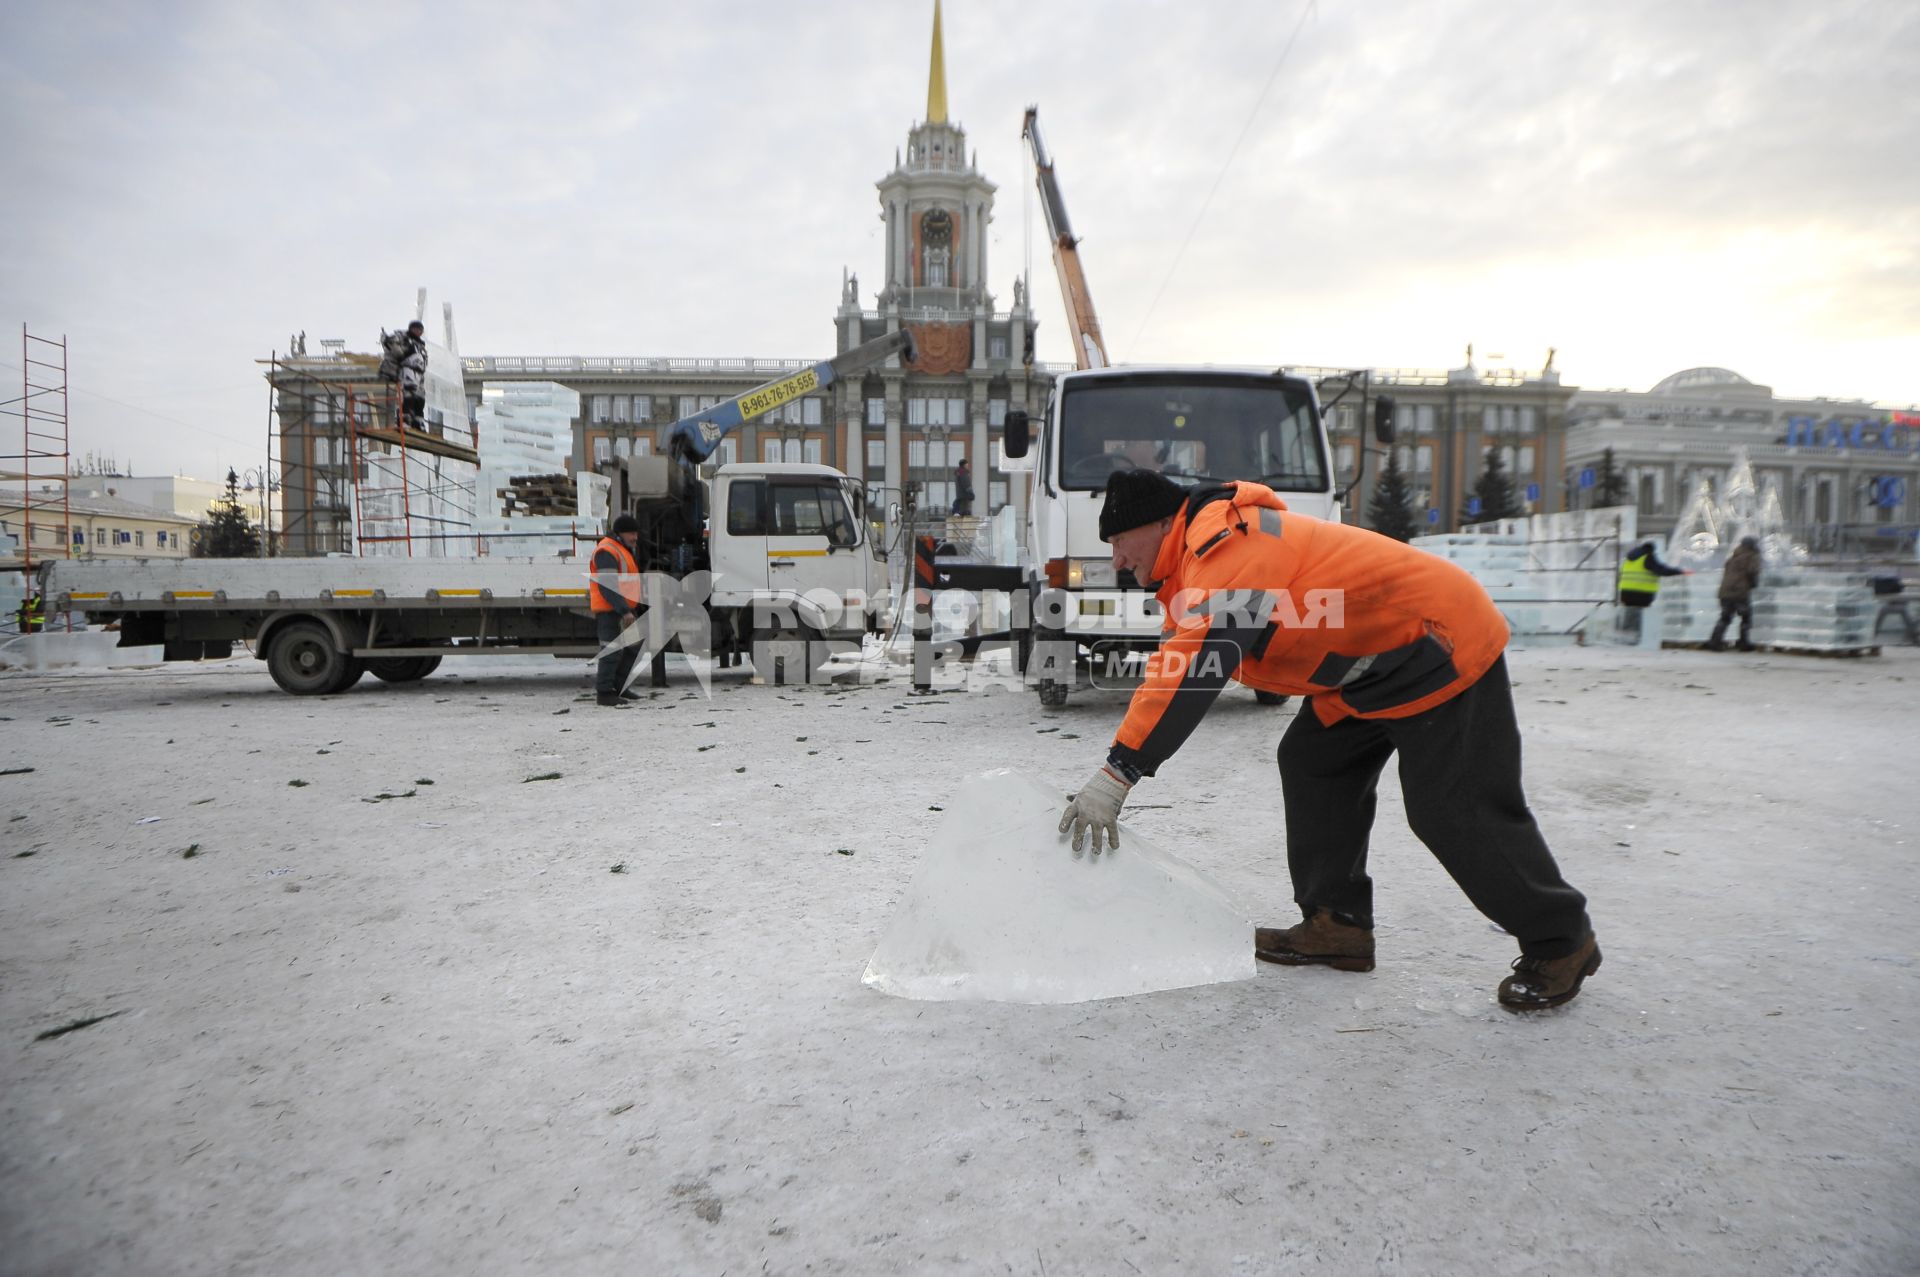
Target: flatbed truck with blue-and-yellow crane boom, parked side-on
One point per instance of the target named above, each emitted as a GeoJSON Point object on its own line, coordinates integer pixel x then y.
{"type": "Point", "coordinates": [792, 569]}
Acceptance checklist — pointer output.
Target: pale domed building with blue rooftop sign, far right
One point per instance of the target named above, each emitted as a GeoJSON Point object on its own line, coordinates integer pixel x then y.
{"type": "Point", "coordinates": [1848, 473]}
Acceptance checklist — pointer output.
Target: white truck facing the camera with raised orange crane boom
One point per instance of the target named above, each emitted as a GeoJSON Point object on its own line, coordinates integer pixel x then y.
{"type": "Point", "coordinates": [1197, 425]}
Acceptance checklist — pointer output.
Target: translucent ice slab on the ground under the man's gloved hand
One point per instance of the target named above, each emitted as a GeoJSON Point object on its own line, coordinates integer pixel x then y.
{"type": "Point", "coordinates": [1003, 913]}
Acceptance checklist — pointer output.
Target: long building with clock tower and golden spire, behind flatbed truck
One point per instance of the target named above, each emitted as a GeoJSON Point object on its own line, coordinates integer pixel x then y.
{"type": "Point", "coordinates": [898, 425]}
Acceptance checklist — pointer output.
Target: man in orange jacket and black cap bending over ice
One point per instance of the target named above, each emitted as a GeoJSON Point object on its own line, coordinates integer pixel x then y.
{"type": "Point", "coordinates": [1395, 650]}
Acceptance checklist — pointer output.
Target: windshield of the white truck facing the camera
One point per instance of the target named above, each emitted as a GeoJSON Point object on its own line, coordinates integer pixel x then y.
{"type": "Point", "coordinates": [1193, 429]}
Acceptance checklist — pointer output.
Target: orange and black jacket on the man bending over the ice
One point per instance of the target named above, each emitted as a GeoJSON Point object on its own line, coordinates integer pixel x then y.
{"type": "Point", "coordinates": [1353, 619]}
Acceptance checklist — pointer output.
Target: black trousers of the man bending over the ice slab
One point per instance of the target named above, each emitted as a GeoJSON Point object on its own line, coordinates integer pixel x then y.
{"type": "Point", "coordinates": [1460, 777]}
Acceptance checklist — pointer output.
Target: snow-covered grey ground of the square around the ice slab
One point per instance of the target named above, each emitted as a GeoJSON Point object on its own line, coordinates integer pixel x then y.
{"type": "Point", "coordinates": [446, 1034]}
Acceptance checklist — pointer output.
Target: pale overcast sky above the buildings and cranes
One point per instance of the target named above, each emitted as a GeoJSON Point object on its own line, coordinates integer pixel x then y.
{"type": "Point", "coordinates": [1644, 185]}
